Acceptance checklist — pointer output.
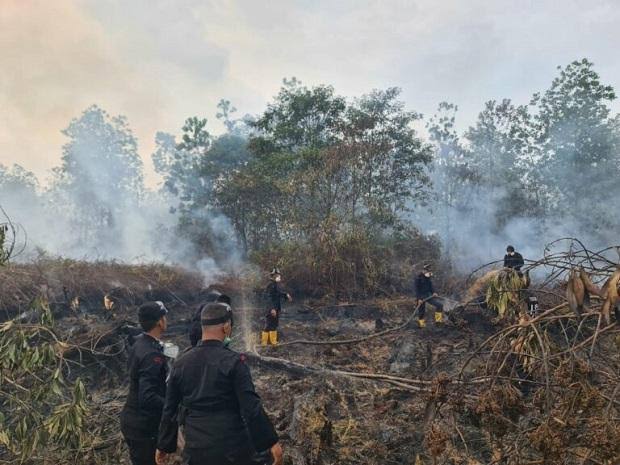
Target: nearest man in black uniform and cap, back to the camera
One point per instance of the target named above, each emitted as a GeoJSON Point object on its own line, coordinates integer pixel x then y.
{"type": "Point", "coordinates": [224, 421]}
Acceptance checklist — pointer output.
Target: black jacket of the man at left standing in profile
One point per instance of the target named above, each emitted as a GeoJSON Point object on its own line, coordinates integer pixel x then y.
{"type": "Point", "coordinates": [141, 414]}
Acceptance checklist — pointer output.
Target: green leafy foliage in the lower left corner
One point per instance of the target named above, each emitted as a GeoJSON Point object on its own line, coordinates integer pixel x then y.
{"type": "Point", "coordinates": [41, 408]}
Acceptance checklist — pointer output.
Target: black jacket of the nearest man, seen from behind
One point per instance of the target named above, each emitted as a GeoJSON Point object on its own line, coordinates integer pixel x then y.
{"type": "Point", "coordinates": [219, 407]}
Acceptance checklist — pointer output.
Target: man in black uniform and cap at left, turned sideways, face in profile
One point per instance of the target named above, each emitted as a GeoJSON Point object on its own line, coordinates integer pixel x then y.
{"type": "Point", "coordinates": [147, 385]}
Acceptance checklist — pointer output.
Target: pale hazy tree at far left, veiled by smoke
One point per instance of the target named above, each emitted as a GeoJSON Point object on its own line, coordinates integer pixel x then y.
{"type": "Point", "coordinates": [100, 175]}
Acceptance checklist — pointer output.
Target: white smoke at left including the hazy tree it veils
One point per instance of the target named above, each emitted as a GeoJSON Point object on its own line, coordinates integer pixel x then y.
{"type": "Point", "coordinates": [95, 206]}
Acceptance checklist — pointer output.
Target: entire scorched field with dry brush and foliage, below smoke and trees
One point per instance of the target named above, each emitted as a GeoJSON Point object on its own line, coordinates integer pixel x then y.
{"type": "Point", "coordinates": [350, 382]}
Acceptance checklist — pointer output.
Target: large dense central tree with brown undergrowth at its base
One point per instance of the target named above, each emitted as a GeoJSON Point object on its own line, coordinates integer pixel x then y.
{"type": "Point", "coordinates": [325, 186]}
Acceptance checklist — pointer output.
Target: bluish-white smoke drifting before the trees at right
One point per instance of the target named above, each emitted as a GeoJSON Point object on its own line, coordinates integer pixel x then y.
{"type": "Point", "coordinates": [471, 237]}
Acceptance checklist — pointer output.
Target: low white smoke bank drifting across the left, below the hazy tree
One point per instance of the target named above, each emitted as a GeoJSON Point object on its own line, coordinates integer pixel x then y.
{"type": "Point", "coordinates": [144, 232]}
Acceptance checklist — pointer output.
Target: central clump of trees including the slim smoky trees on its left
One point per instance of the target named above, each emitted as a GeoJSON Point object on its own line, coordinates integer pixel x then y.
{"type": "Point", "coordinates": [318, 174]}
